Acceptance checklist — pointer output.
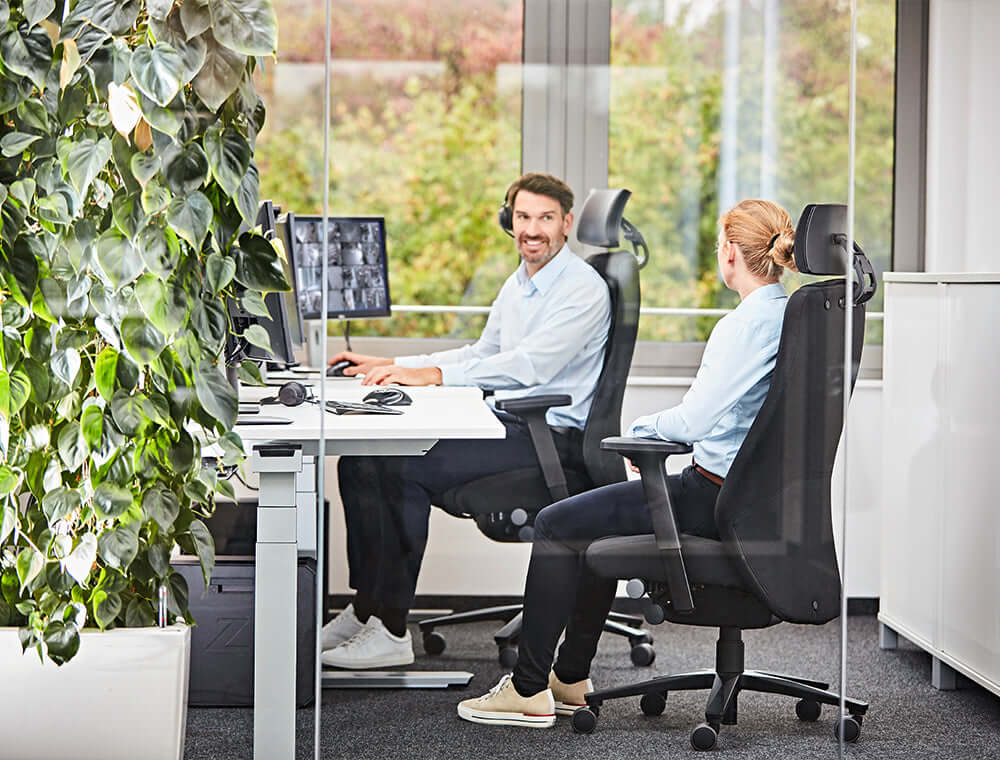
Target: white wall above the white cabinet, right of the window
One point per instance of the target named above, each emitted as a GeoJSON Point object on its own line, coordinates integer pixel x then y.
{"type": "Point", "coordinates": [963, 160]}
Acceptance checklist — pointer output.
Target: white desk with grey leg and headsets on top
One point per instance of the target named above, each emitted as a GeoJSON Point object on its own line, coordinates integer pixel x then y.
{"type": "Point", "coordinates": [276, 453]}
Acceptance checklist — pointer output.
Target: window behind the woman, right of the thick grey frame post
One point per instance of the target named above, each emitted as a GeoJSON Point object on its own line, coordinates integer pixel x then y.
{"type": "Point", "coordinates": [712, 102]}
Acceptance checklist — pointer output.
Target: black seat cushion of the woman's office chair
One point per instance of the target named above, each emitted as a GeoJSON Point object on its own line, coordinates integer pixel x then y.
{"type": "Point", "coordinates": [637, 557]}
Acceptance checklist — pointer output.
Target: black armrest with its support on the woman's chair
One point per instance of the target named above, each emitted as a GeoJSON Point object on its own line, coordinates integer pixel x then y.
{"type": "Point", "coordinates": [650, 456]}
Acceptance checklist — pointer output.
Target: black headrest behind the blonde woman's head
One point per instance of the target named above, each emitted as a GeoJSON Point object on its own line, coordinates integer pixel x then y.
{"type": "Point", "coordinates": [821, 248]}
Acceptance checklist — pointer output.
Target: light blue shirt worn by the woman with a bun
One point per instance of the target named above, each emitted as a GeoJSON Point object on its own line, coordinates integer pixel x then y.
{"type": "Point", "coordinates": [729, 389]}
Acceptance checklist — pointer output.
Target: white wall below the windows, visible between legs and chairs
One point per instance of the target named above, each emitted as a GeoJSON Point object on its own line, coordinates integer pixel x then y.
{"type": "Point", "coordinates": [460, 560]}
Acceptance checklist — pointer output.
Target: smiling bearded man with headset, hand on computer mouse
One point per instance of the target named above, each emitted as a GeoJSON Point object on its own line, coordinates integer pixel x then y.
{"type": "Point", "coordinates": [545, 334]}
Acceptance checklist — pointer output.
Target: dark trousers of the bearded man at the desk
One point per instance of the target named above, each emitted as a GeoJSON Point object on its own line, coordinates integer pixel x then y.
{"type": "Point", "coordinates": [387, 502]}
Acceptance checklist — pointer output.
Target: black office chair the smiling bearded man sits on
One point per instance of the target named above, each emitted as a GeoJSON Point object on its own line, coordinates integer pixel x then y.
{"type": "Point", "coordinates": [504, 505]}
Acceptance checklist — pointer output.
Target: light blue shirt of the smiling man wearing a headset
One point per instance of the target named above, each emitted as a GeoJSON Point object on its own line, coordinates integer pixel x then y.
{"type": "Point", "coordinates": [545, 334]}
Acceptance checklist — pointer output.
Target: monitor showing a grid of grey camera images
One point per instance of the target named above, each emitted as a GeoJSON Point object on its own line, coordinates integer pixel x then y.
{"type": "Point", "coordinates": [357, 267]}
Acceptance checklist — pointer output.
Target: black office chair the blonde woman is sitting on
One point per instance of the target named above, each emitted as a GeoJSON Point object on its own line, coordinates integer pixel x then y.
{"type": "Point", "coordinates": [776, 560]}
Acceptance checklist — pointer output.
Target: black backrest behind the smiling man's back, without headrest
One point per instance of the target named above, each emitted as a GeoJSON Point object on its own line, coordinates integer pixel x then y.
{"type": "Point", "coordinates": [619, 269]}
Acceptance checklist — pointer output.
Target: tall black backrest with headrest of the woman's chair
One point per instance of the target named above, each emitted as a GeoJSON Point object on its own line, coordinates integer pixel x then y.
{"type": "Point", "coordinates": [774, 509]}
